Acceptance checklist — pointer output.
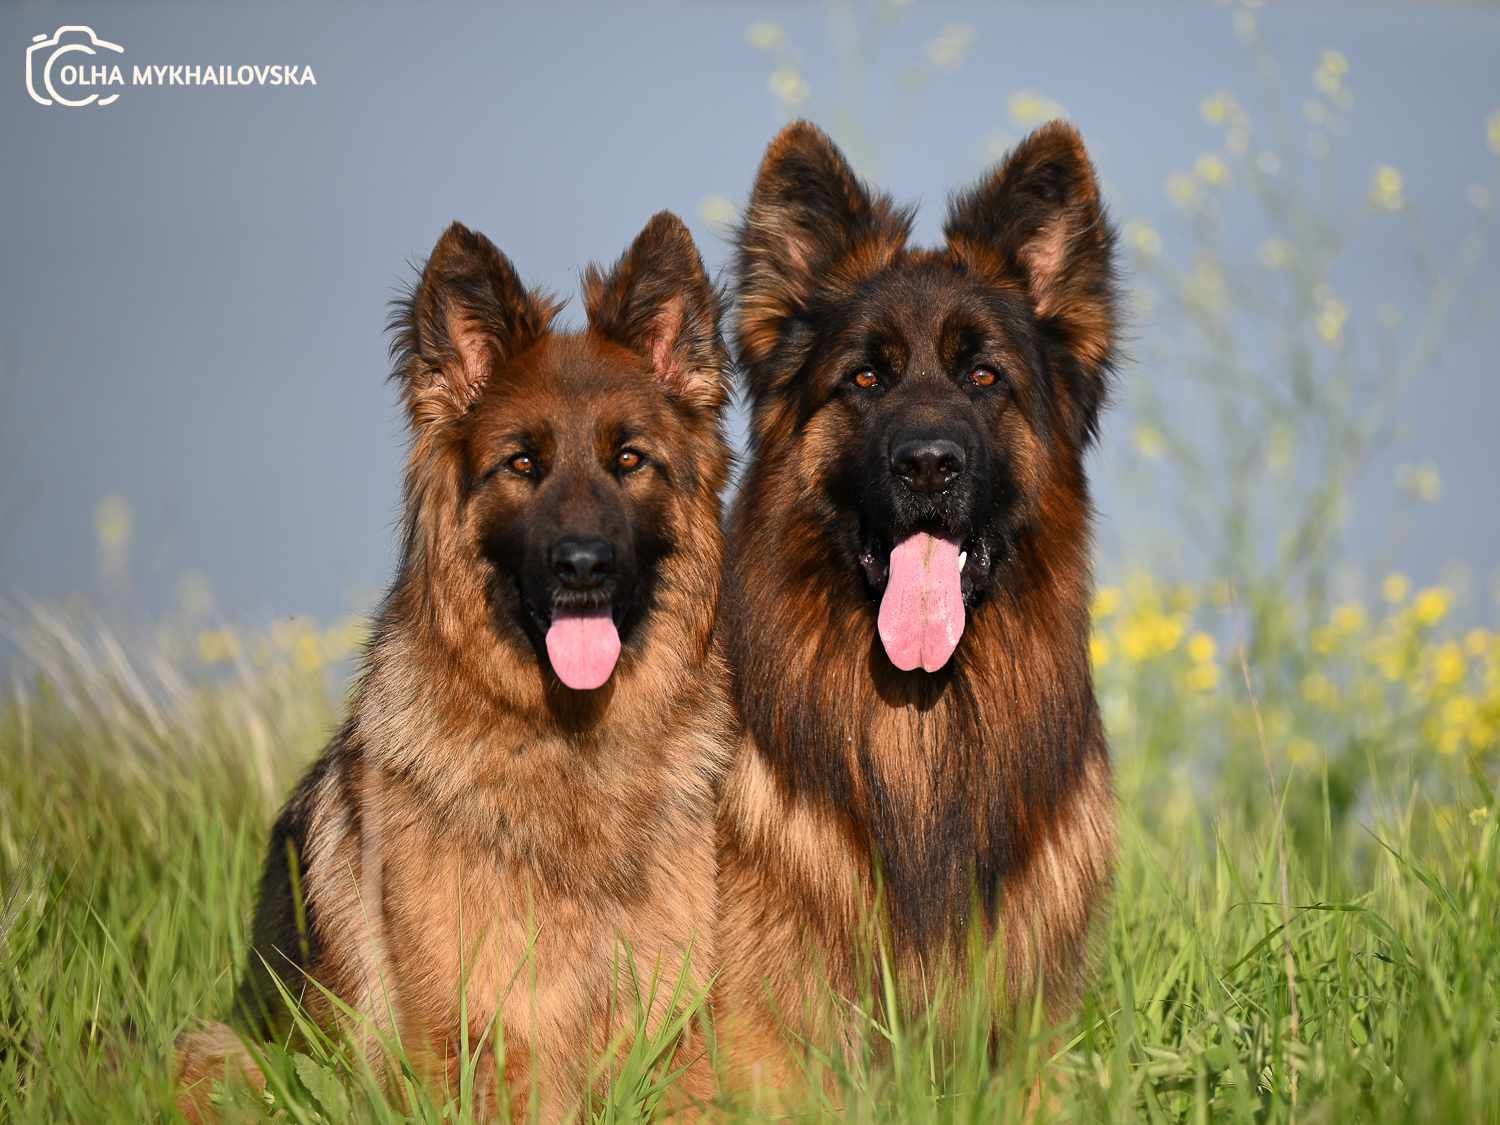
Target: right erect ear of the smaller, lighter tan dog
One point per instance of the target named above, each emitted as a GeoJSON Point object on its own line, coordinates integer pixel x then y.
{"type": "Point", "coordinates": [658, 302]}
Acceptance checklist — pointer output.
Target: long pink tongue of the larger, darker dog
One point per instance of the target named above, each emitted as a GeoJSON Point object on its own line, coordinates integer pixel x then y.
{"type": "Point", "coordinates": [922, 614]}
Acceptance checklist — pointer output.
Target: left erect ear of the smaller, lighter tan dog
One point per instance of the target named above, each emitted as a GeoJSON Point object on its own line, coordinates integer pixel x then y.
{"type": "Point", "coordinates": [466, 316]}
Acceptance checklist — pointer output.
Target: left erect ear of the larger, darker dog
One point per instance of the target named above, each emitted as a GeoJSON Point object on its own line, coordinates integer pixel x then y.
{"type": "Point", "coordinates": [812, 227]}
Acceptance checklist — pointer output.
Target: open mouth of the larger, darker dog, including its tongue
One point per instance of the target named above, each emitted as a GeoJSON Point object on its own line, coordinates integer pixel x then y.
{"type": "Point", "coordinates": [926, 584]}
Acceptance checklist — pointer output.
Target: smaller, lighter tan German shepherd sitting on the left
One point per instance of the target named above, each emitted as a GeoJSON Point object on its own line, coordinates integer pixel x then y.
{"type": "Point", "coordinates": [521, 803]}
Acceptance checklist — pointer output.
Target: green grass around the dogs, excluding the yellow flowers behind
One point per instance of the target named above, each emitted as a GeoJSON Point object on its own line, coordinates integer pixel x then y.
{"type": "Point", "coordinates": [134, 808]}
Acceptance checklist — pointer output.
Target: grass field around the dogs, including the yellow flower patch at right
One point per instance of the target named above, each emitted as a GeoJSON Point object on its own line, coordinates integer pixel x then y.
{"type": "Point", "coordinates": [1309, 935]}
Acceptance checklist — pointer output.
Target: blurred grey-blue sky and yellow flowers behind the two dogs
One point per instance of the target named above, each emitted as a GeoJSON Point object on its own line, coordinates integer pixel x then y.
{"type": "Point", "coordinates": [200, 446]}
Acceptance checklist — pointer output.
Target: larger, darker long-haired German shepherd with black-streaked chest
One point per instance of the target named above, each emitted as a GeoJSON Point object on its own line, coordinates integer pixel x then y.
{"type": "Point", "coordinates": [907, 601]}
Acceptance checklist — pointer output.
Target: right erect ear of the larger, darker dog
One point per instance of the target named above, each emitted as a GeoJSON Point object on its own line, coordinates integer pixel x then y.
{"type": "Point", "coordinates": [1040, 214]}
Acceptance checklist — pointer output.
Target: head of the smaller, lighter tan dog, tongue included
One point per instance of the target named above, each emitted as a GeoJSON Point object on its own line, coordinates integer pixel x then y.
{"type": "Point", "coordinates": [556, 470]}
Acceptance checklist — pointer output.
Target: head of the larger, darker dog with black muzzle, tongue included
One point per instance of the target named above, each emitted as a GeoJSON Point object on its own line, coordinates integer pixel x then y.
{"type": "Point", "coordinates": [929, 403]}
